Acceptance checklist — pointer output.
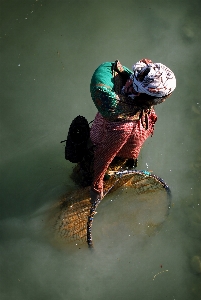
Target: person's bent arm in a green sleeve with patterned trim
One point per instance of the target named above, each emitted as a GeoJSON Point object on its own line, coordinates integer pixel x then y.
{"type": "Point", "coordinates": [107, 82]}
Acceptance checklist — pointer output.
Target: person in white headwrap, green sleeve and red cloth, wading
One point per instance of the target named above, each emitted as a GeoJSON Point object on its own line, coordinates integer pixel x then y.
{"type": "Point", "coordinates": [126, 117]}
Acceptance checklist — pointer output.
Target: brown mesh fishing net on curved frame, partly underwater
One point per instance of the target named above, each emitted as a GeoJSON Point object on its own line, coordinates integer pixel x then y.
{"type": "Point", "coordinates": [76, 212]}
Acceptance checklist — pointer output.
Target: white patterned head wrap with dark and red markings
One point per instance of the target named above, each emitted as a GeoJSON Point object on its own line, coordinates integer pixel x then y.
{"type": "Point", "coordinates": [153, 79]}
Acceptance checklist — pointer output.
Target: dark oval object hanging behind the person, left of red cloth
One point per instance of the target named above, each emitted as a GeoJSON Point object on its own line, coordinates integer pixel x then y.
{"type": "Point", "coordinates": [77, 139]}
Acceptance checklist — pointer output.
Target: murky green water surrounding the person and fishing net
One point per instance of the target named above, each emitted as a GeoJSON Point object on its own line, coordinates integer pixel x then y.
{"type": "Point", "coordinates": [49, 50]}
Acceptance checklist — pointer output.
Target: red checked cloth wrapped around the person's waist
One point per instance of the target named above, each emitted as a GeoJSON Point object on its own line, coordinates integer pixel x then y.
{"type": "Point", "coordinates": [123, 139]}
